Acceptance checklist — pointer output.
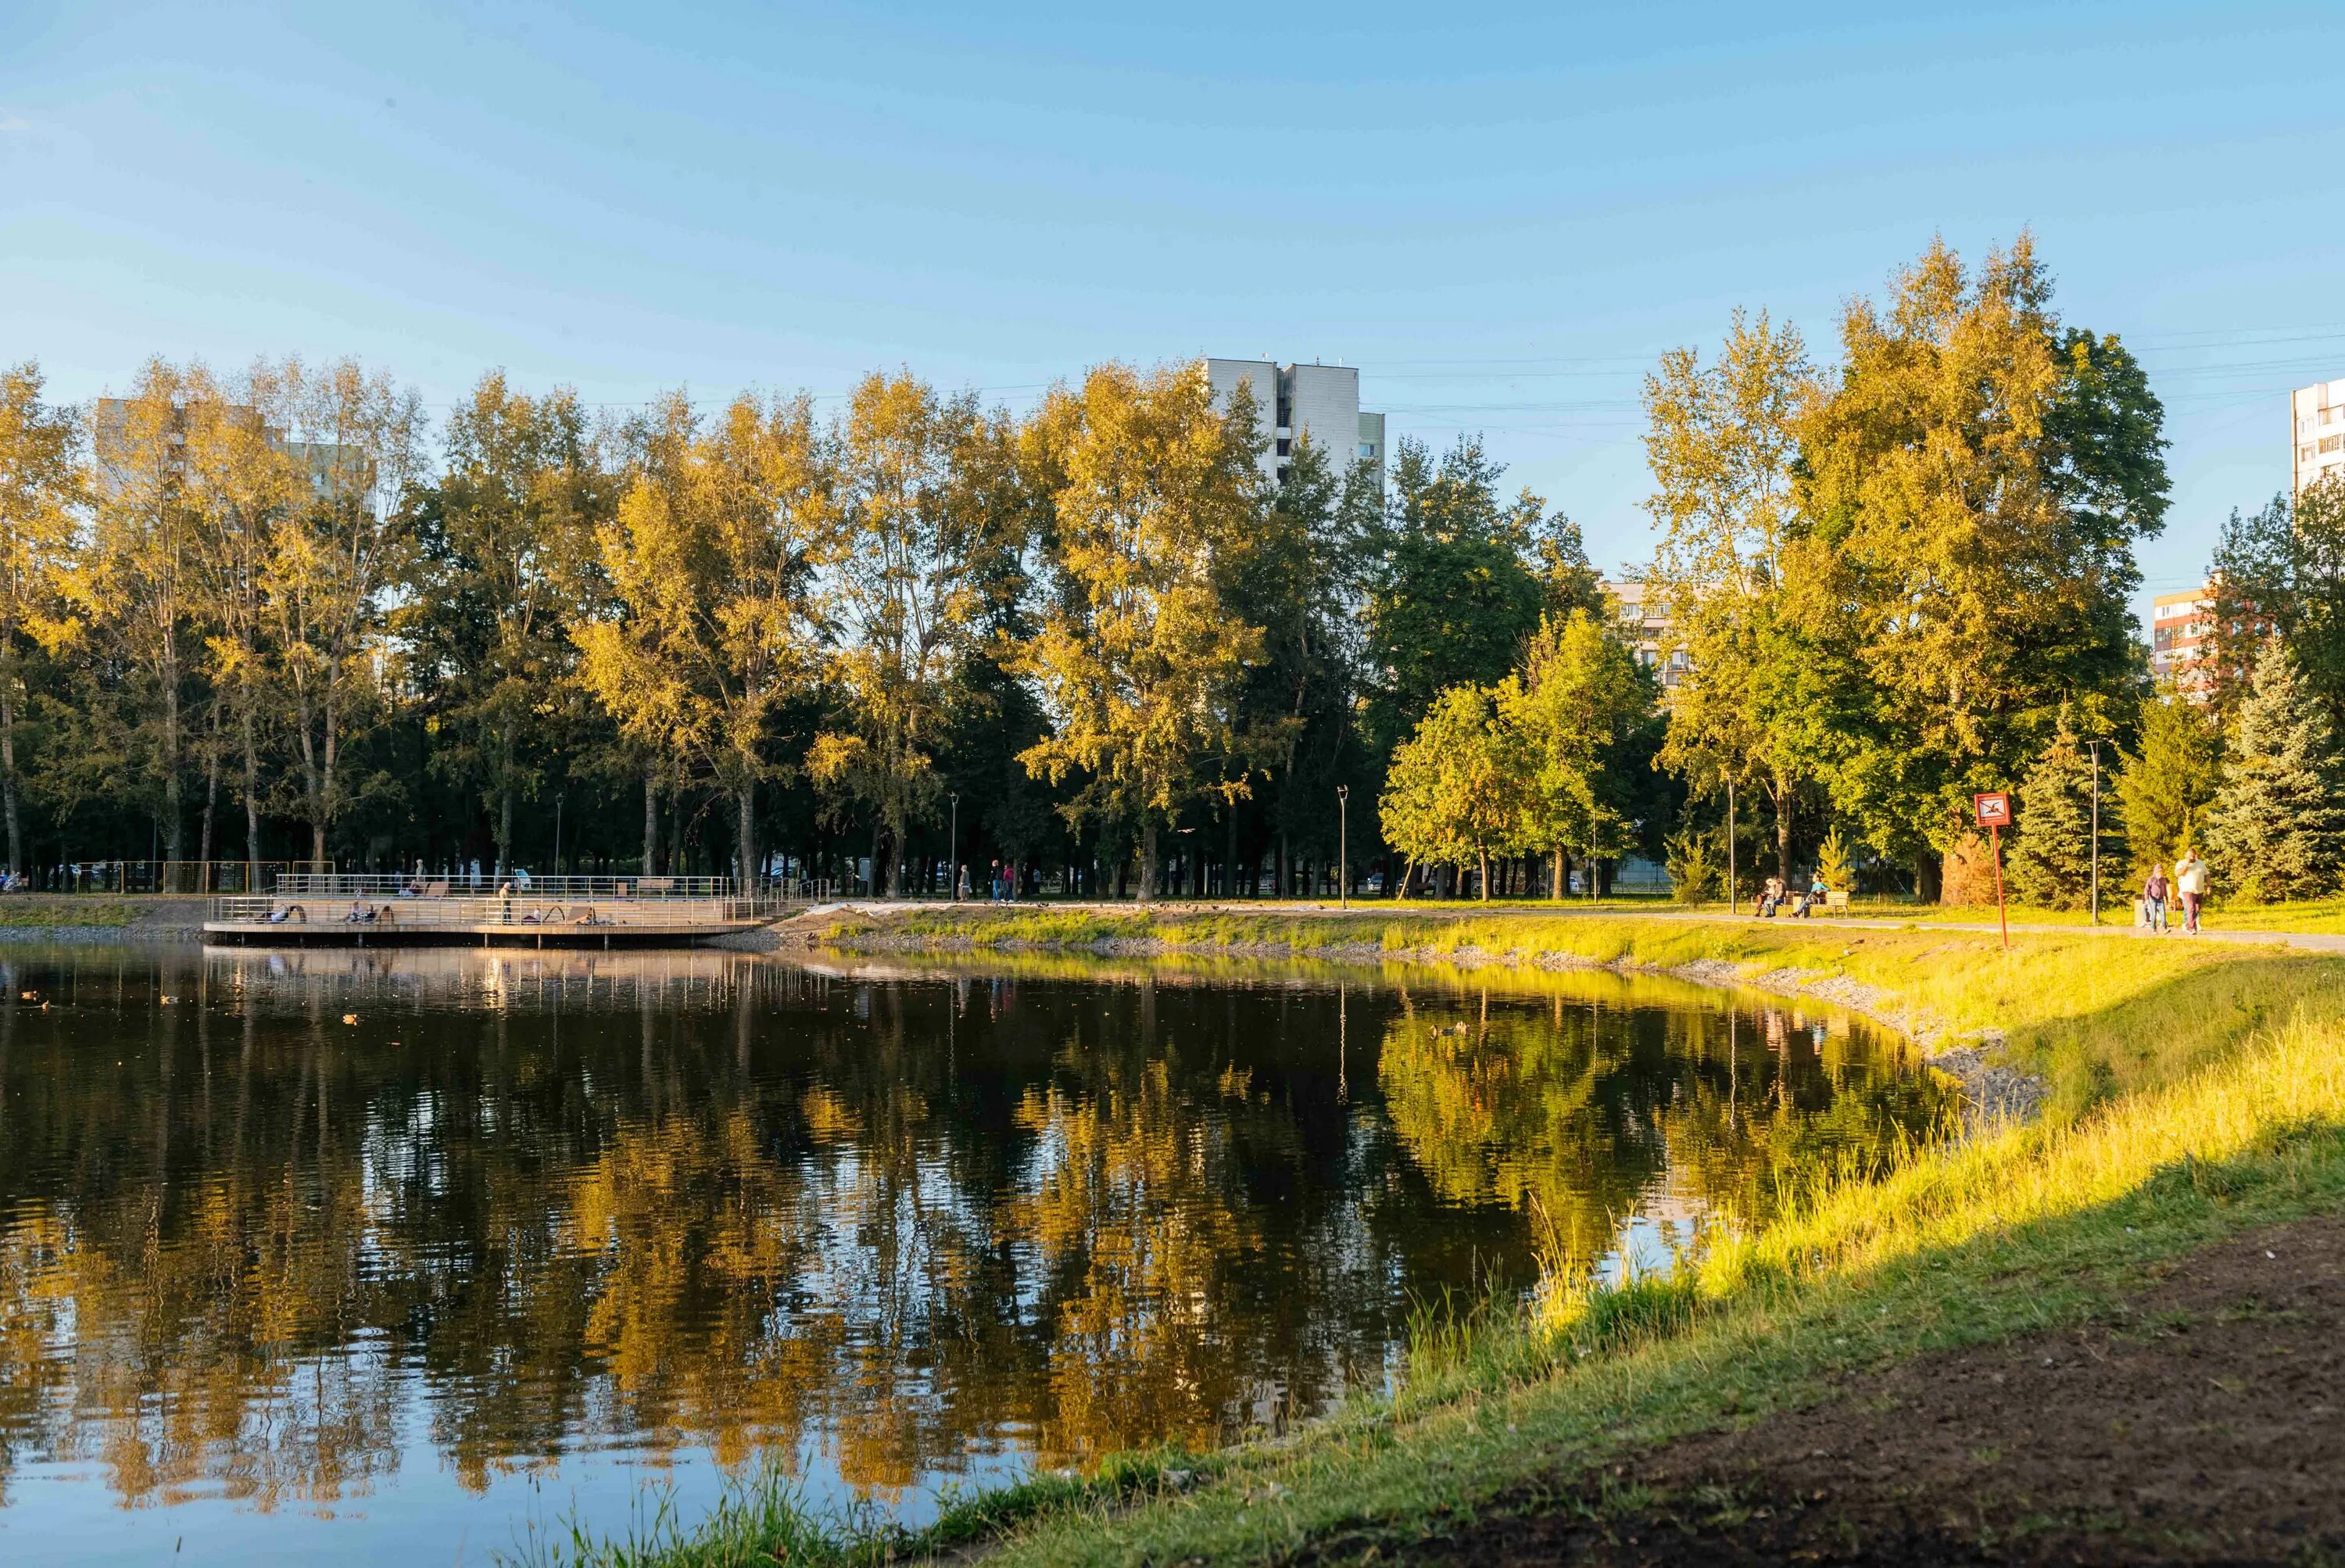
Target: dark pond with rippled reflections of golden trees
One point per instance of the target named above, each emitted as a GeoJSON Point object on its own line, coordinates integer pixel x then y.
{"type": "Point", "coordinates": [388, 1257]}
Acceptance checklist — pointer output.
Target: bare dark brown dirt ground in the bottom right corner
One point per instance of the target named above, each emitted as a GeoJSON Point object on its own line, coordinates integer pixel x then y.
{"type": "Point", "coordinates": [2208, 1426]}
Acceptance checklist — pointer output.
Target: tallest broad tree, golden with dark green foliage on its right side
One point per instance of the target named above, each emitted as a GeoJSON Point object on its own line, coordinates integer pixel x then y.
{"type": "Point", "coordinates": [1973, 491]}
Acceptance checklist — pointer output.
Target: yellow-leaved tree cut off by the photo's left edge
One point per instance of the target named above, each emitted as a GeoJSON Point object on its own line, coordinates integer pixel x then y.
{"type": "Point", "coordinates": [43, 489]}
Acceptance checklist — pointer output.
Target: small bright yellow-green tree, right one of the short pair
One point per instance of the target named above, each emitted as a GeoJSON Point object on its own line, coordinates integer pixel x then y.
{"type": "Point", "coordinates": [1572, 709]}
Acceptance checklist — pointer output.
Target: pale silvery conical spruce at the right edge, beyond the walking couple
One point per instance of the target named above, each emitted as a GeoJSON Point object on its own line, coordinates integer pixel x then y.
{"type": "Point", "coordinates": [2276, 829]}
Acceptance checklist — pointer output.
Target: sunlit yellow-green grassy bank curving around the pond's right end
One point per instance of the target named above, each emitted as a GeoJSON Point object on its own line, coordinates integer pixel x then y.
{"type": "Point", "coordinates": [2203, 1093]}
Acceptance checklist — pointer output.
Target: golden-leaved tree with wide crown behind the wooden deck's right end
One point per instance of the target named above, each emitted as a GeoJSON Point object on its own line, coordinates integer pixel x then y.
{"type": "Point", "coordinates": [714, 564]}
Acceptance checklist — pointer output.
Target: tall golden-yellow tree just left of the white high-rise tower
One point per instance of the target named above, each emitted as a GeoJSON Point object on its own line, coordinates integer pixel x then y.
{"type": "Point", "coordinates": [1138, 653]}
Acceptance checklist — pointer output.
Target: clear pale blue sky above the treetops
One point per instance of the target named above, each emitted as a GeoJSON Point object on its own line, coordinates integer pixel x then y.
{"type": "Point", "coordinates": [1500, 214]}
